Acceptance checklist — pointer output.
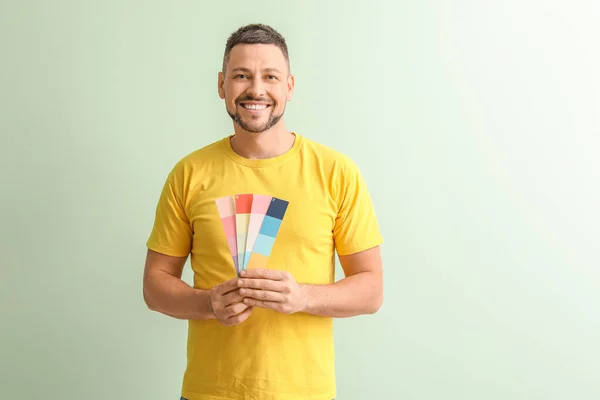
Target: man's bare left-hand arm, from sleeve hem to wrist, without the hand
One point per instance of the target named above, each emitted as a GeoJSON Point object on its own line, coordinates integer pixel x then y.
{"type": "Point", "coordinates": [167, 293]}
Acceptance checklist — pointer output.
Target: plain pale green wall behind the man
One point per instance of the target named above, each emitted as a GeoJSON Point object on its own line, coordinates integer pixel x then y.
{"type": "Point", "coordinates": [475, 123]}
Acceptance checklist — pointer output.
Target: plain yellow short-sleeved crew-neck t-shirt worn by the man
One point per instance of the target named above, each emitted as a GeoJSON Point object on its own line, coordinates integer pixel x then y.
{"type": "Point", "coordinates": [323, 206]}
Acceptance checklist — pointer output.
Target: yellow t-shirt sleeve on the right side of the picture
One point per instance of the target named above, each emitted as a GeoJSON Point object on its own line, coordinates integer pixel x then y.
{"type": "Point", "coordinates": [356, 227]}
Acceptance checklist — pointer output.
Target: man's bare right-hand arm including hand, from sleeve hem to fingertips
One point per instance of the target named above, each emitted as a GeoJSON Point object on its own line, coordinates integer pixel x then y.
{"type": "Point", "coordinates": [360, 292]}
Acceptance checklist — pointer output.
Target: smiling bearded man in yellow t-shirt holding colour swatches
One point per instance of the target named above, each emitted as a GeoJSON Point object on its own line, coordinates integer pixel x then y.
{"type": "Point", "coordinates": [262, 213]}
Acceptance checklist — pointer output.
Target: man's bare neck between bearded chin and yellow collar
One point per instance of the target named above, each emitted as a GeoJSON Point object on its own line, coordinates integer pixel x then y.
{"type": "Point", "coordinates": [268, 144]}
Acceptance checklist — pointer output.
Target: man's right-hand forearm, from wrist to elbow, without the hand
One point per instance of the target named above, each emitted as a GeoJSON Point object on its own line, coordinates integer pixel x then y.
{"type": "Point", "coordinates": [357, 294]}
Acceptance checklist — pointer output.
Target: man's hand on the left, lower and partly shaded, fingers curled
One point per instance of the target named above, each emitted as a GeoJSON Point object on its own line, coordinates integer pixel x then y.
{"type": "Point", "coordinates": [227, 303]}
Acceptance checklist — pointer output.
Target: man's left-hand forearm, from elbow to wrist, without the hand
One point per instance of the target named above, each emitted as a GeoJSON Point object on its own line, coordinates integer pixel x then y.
{"type": "Point", "coordinates": [171, 296]}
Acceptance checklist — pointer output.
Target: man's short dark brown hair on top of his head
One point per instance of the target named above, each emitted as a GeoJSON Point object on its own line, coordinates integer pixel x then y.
{"type": "Point", "coordinates": [255, 34]}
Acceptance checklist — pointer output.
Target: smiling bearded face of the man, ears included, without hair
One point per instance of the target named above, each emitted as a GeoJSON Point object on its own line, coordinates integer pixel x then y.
{"type": "Point", "coordinates": [256, 86]}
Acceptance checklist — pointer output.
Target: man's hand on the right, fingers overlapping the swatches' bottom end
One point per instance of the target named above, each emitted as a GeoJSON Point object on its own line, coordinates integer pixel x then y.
{"type": "Point", "coordinates": [276, 290]}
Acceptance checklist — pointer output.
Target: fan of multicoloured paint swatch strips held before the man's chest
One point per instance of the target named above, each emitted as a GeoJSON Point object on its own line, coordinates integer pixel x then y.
{"type": "Point", "coordinates": [251, 223]}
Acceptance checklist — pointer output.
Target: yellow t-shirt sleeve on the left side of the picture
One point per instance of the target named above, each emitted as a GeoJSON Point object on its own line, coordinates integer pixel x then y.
{"type": "Point", "coordinates": [172, 232]}
